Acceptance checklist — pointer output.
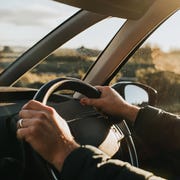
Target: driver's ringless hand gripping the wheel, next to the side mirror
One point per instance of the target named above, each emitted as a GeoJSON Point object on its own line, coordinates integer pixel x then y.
{"type": "Point", "coordinates": [111, 103]}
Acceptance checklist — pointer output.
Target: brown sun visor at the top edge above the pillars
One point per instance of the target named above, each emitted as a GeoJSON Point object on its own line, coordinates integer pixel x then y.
{"type": "Point", "coordinates": [128, 9]}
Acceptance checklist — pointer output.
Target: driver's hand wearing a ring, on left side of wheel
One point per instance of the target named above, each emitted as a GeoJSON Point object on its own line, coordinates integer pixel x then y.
{"type": "Point", "coordinates": [47, 132]}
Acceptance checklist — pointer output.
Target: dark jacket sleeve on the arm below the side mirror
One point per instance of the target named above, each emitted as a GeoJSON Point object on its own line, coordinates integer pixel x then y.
{"type": "Point", "coordinates": [158, 129]}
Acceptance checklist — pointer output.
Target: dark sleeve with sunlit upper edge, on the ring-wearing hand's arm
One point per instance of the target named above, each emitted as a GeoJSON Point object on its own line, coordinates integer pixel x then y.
{"type": "Point", "coordinates": [89, 163]}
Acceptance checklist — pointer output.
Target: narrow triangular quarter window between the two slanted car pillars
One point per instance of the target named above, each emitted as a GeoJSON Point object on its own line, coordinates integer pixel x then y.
{"type": "Point", "coordinates": [75, 57]}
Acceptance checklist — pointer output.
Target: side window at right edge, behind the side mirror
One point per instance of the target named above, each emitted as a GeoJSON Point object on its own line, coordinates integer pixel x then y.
{"type": "Point", "coordinates": [157, 64]}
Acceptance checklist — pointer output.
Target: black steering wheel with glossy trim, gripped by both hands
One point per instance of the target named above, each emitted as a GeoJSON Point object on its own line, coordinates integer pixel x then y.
{"type": "Point", "coordinates": [86, 124]}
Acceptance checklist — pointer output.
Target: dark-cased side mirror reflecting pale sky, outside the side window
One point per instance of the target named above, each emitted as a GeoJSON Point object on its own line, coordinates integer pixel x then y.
{"type": "Point", "coordinates": [136, 93]}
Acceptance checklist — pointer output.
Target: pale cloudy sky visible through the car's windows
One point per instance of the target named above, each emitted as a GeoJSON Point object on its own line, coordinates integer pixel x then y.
{"type": "Point", "coordinates": [24, 22]}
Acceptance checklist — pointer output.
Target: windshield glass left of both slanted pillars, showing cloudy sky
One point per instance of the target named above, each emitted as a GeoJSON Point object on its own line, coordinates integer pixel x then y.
{"type": "Point", "coordinates": [23, 23]}
